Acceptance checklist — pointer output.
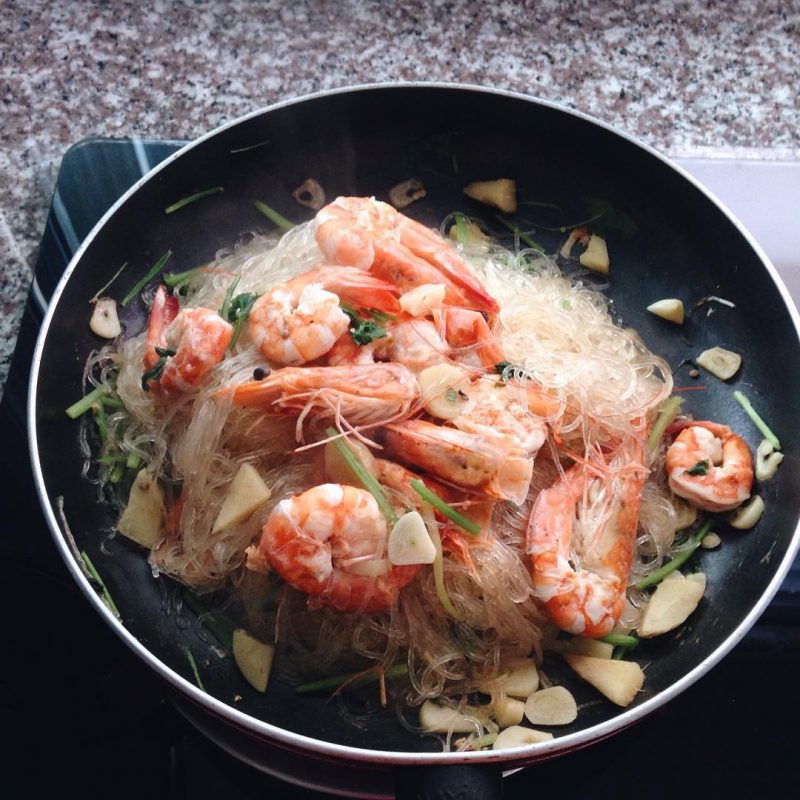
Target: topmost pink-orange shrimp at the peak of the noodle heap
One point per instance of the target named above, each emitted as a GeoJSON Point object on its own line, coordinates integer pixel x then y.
{"type": "Point", "coordinates": [365, 233]}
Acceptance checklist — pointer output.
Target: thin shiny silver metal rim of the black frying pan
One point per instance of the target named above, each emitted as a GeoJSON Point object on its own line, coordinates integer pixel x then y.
{"type": "Point", "coordinates": [515, 756]}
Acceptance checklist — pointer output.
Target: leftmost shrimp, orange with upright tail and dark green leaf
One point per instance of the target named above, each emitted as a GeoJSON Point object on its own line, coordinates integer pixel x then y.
{"type": "Point", "coordinates": [194, 340]}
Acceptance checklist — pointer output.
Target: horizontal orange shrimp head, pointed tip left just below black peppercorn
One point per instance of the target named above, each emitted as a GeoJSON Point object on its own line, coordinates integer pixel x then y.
{"type": "Point", "coordinates": [363, 395]}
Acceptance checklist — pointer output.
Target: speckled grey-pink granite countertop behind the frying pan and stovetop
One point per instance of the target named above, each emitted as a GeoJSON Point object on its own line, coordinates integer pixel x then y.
{"type": "Point", "coordinates": [683, 76]}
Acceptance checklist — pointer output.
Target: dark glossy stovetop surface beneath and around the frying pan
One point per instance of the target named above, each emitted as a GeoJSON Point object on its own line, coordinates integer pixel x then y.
{"type": "Point", "coordinates": [84, 713]}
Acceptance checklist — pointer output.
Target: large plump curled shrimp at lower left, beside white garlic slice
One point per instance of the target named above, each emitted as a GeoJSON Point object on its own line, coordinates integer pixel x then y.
{"type": "Point", "coordinates": [330, 542]}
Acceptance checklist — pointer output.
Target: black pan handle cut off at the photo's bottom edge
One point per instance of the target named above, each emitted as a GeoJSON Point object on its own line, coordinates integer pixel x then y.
{"type": "Point", "coordinates": [456, 782]}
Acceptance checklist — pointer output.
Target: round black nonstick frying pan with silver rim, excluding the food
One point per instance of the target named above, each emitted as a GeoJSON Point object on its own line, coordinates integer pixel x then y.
{"type": "Point", "coordinates": [668, 237]}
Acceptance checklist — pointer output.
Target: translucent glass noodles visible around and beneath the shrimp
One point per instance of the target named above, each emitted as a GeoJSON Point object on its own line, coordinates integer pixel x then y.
{"type": "Point", "coordinates": [556, 330]}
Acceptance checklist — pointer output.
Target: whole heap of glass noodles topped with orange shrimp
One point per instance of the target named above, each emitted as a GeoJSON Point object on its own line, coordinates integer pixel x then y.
{"type": "Point", "coordinates": [477, 395]}
